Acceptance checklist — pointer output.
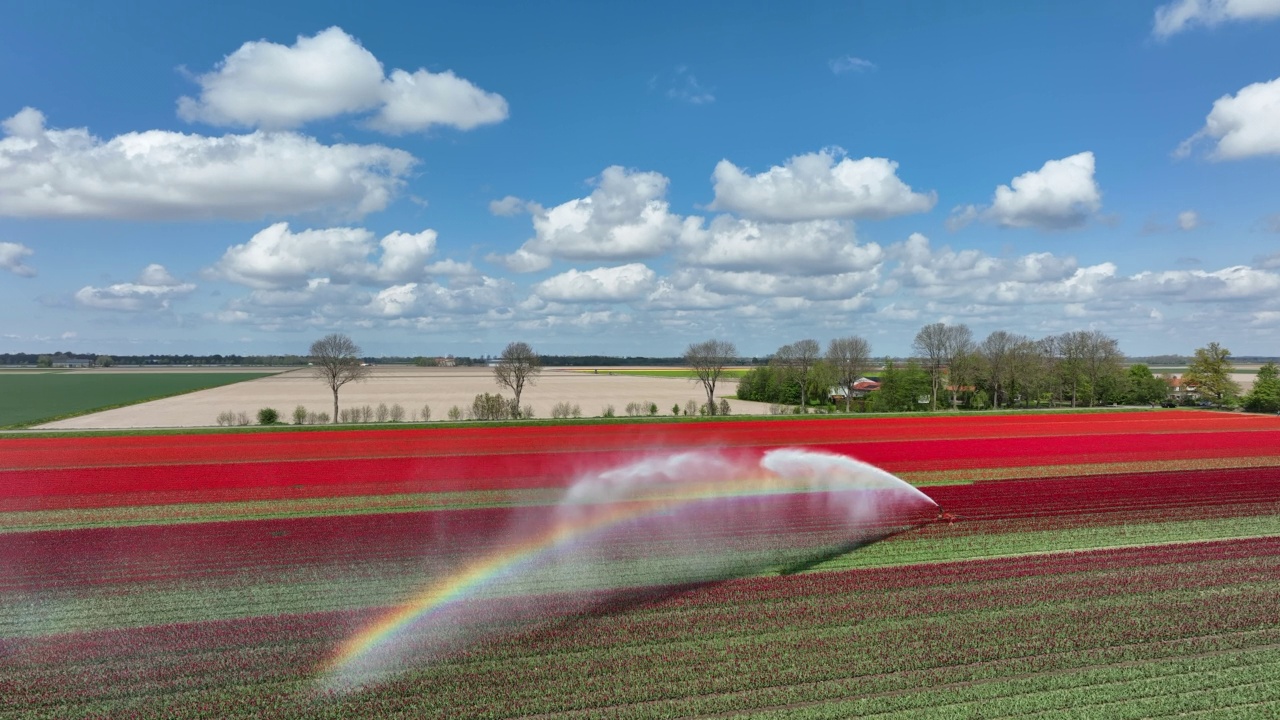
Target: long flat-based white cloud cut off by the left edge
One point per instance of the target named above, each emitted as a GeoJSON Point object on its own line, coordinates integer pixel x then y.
{"type": "Point", "coordinates": [159, 175]}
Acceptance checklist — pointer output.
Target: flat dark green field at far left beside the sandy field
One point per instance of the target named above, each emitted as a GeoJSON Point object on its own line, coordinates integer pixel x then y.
{"type": "Point", "coordinates": [28, 399]}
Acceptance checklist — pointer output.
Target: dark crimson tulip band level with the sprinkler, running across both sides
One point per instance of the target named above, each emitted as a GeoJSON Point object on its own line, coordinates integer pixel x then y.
{"type": "Point", "coordinates": [125, 554]}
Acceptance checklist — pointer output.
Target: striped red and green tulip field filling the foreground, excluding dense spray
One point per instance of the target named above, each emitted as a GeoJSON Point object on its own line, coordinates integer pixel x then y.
{"type": "Point", "coordinates": [1078, 566]}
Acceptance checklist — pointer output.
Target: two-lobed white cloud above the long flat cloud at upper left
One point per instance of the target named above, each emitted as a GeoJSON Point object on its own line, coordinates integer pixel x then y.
{"type": "Point", "coordinates": [269, 85]}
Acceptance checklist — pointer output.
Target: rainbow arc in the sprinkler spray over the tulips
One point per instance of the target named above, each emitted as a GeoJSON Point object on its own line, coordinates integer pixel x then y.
{"type": "Point", "coordinates": [570, 530]}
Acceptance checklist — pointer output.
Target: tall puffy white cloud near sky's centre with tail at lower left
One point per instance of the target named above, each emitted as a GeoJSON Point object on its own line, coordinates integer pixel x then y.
{"type": "Point", "coordinates": [625, 218]}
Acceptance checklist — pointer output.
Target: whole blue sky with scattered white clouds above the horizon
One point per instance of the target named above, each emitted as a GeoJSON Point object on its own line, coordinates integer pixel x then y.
{"type": "Point", "coordinates": [624, 180]}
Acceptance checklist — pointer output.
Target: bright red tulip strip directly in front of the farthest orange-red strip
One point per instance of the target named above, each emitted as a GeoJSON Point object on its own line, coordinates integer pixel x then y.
{"type": "Point", "coordinates": [115, 486]}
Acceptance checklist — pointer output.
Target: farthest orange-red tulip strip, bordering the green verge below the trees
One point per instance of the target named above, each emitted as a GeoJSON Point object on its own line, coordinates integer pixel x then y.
{"type": "Point", "coordinates": [93, 452]}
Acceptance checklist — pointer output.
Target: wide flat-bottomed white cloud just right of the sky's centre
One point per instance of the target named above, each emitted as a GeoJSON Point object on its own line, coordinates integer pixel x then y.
{"type": "Point", "coordinates": [822, 185]}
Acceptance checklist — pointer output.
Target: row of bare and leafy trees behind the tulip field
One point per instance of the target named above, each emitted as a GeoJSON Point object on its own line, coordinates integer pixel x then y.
{"type": "Point", "coordinates": [1004, 370]}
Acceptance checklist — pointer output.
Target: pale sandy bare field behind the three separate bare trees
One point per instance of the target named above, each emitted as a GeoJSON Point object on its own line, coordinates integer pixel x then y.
{"type": "Point", "coordinates": [412, 388]}
